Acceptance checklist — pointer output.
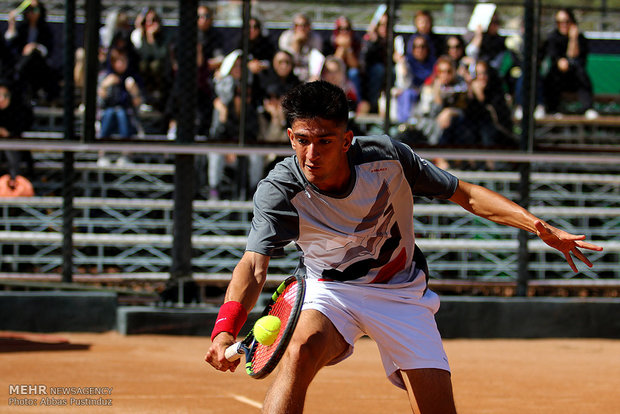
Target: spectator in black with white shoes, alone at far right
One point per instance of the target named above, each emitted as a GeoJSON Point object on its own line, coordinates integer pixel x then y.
{"type": "Point", "coordinates": [567, 51]}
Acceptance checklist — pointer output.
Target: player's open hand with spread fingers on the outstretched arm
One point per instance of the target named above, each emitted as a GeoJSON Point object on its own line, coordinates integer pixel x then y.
{"type": "Point", "coordinates": [566, 243]}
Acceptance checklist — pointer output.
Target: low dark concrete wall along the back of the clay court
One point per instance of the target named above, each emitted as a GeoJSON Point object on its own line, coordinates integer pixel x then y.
{"type": "Point", "coordinates": [458, 317]}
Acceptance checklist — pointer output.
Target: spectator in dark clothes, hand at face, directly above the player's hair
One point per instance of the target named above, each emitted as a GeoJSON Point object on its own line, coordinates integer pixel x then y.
{"type": "Point", "coordinates": [345, 45]}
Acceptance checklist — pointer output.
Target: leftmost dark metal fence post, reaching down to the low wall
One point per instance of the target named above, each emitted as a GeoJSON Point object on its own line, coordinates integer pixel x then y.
{"type": "Point", "coordinates": [68, 171]}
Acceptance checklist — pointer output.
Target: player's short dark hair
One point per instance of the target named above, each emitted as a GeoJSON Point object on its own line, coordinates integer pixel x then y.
{"type": "Point", "coordinates": [319, 99]}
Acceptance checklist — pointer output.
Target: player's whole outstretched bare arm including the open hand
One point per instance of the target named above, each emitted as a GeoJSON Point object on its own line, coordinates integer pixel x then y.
{"type": "Point", "coordinates": [497, 208]}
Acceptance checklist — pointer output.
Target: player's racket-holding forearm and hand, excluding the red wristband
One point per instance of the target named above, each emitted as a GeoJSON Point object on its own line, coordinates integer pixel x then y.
{"type": "Point", "coordinates": [245, 286]}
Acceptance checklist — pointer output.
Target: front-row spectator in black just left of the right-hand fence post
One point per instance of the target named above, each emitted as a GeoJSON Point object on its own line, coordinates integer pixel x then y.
{"type": "Point", "coordinates": [487, 114]}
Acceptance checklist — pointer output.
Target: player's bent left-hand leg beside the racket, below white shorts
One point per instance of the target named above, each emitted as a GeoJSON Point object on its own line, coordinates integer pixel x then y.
{"type": "Point", "coordinates": [315, 343]}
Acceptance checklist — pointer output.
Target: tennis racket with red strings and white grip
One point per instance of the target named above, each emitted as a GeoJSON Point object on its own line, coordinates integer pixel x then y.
{"type": "Point", "coordinates": [285, 303]}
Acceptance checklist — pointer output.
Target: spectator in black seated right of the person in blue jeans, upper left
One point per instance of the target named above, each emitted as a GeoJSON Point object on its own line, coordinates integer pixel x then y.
{"type": "Point", "coordinates": [153, 50]}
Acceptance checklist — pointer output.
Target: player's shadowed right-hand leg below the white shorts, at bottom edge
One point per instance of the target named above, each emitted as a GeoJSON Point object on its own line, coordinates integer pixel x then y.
{"type": "Point", "coordinates": [429, 390]}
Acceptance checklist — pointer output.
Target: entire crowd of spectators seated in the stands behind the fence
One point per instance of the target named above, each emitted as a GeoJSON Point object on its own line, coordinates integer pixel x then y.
{"type": "Point", "coordinates": [448, 90]}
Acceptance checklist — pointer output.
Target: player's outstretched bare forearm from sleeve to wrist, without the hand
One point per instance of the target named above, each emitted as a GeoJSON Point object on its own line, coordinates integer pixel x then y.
{"type": "Point", "coordinates": [493, 206]}
